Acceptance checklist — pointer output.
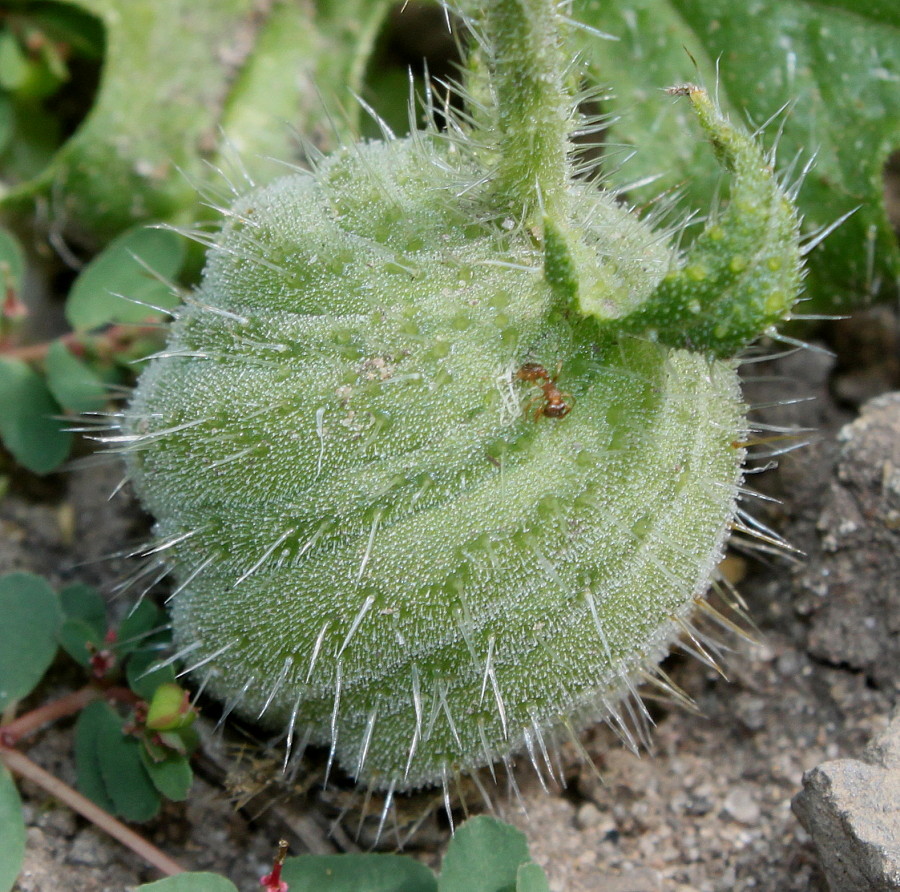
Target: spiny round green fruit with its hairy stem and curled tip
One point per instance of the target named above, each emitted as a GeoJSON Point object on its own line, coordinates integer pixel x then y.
{"type": "Point", "coordinates": [444, 450]}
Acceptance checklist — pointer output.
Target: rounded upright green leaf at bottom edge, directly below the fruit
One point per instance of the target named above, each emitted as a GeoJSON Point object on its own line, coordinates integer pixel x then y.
{"type": "Point", "coordinates": [483, 856]}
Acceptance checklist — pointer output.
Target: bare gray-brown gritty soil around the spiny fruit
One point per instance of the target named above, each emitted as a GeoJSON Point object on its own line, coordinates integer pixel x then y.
{"type": "Point", "coordinates": [708, 809]}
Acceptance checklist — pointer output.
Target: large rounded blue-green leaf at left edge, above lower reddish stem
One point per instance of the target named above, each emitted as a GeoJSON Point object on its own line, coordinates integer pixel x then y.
{"type": "Point", "coordinates": [30, 618]}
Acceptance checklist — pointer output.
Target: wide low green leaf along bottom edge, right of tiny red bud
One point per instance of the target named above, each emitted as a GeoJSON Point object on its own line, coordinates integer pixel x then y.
{"type": "Point", "coordinates": [357, 873]}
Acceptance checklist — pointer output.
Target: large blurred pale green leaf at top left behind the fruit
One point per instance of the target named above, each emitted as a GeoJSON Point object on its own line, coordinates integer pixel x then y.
{"type": "Point", "coordinates": [220, 81]}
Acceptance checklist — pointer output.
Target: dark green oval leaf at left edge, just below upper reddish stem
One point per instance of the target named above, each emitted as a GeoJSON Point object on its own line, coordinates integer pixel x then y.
{"type": "Point", "coordinates": [28, 427]}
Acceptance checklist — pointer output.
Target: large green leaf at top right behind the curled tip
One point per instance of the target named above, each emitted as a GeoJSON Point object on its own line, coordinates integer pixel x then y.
{"type": "Point", "coordinates": [839, 71]}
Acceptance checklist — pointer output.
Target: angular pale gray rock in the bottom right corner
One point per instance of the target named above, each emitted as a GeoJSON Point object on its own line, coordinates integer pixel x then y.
{"type": "Point", "coordinates": [851, 809]}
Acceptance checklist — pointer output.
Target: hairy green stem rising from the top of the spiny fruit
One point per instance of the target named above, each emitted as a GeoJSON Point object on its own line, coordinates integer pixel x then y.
{"type": "Point", "coordinates": [533, 104]}
